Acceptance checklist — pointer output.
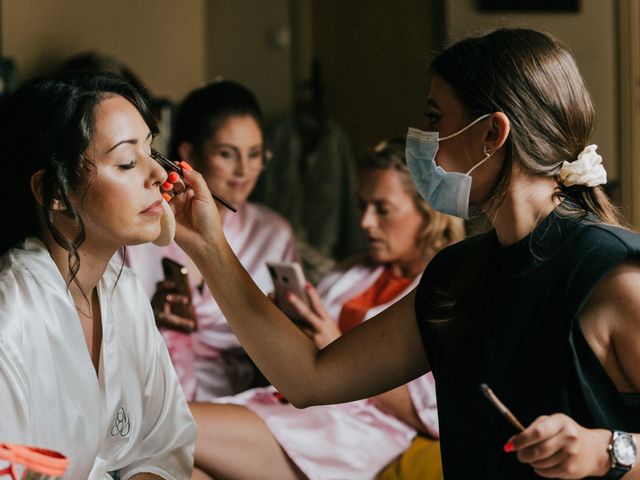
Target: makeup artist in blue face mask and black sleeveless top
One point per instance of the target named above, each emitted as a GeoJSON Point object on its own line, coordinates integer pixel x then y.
{"type": "Point", "coordinates": [544, 307]}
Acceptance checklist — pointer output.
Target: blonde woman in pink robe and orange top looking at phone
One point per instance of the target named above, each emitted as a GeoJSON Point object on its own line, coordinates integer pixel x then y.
{"type": "Point", "coordinates": [259, 432]}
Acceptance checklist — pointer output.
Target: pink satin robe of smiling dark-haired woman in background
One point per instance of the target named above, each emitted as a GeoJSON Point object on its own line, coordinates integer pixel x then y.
{"type": "Point", "coordinates": [210, 361]}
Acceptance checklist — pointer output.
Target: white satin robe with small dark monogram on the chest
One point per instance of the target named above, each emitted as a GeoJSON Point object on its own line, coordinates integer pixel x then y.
{"type": "Point", "coordinates": [129, 418]}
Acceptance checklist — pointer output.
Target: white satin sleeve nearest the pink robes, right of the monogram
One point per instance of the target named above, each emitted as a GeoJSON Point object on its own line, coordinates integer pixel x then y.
{"type": "Point", "coordinates": [168, 429]}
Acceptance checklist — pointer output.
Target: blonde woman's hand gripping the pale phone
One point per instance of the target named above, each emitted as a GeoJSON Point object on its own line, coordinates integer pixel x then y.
{"type": "Point", "coordinates": [322, 328]}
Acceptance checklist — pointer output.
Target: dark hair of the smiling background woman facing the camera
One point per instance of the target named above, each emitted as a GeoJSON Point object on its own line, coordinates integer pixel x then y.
{"type": "Point", "coordinates": [205, 109]}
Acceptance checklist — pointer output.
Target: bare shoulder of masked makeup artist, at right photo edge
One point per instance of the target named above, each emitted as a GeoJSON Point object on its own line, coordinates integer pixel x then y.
{"type": "Point", "coordinates": [610, 321]}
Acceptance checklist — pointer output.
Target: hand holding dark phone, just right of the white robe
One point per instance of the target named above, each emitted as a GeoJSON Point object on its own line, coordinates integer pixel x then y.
{"type": "Point", "coordinates": [172, 301]}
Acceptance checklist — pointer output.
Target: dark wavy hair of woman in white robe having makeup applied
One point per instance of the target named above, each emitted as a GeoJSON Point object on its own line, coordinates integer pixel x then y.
{"type": "Point", "coordinates": [46, 125]}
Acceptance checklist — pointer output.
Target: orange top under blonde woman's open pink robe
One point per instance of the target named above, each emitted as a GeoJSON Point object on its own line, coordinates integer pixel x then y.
{"type": "Point", "coordinates": [385, 288]}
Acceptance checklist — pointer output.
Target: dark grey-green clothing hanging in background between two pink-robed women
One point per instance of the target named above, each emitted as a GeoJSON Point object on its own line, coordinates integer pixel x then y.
{"type": "Point", "coordinates": [311, 181]}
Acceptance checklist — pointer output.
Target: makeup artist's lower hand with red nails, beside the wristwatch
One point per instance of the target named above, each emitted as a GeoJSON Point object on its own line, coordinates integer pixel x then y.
{"type": "Point", "coordinates": [558, 447]}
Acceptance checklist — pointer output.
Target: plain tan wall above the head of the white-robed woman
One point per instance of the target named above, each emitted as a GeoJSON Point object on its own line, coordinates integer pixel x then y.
{"type": "Point", "coordinates": [163, 41]}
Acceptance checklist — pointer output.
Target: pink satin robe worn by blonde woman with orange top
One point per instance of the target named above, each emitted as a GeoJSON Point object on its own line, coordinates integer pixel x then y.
{"type": "Point", "coordinates": [352, 440]}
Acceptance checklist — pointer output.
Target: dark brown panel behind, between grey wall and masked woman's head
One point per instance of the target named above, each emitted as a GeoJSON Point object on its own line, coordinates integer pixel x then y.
{"type": "Point", "coordinates": [375, 57]}
